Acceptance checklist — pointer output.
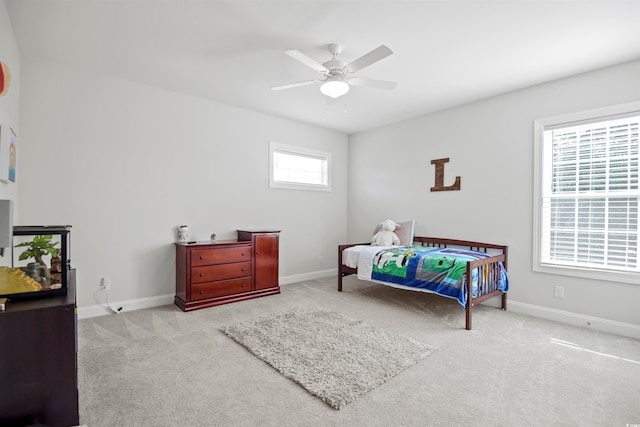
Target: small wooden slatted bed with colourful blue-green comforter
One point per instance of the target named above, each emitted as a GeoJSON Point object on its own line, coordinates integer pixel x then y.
{"type": "Point", "coordinates": [440, 266]}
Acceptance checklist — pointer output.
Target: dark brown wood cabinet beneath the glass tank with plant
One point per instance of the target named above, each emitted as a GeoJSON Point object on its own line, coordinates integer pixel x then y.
{"type": "Point", "coordinates": [38, 361]}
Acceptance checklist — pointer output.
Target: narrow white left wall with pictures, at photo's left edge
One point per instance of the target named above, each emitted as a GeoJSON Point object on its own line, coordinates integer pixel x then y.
{"type": "Point", "coordinates": [10, 102]}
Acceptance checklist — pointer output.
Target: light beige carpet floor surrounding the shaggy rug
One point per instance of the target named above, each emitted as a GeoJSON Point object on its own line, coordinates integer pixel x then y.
{"type": "Point", "coordinates": [163, 367]}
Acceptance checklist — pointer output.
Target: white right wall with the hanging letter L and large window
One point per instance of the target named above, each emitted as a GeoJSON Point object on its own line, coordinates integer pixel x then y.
{"type": "Point", "coordinates": [490, 146]}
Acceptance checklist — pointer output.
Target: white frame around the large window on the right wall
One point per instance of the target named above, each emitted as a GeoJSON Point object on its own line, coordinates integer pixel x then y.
{"type": "Point", "coordinates": [540, 125]}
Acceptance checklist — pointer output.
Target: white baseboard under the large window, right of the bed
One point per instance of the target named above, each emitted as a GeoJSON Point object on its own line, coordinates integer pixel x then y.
{"type": "Point", "coordinates": [575, 319]}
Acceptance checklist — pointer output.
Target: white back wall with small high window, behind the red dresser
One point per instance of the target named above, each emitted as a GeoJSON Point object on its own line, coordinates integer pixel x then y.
{"type": "Point", "coordinates": [125, 164]}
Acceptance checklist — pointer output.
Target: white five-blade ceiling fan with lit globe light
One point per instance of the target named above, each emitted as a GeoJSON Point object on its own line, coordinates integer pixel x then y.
{"type": "Point", "coordinates": [337, 74]}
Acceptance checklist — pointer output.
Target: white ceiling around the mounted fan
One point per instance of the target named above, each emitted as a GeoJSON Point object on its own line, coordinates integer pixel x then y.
{"type": "Point", "coordinates": [446, 53]}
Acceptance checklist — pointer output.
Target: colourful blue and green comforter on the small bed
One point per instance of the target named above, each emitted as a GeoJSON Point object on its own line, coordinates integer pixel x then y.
{"type": "Point", "coordinates": [438, 270]}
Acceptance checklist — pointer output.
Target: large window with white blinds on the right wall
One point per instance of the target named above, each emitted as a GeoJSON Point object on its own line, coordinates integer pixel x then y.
{"type": "Point", "coordinates": [587, 194]}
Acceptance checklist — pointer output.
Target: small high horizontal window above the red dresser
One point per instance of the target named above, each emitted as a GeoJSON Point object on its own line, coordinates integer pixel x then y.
{"type": "Point", "coordinates": [298, 168]}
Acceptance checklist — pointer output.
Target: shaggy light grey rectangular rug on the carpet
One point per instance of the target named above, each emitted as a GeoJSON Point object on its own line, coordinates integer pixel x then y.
{"type": "Point", "coordinates": [336, 358]}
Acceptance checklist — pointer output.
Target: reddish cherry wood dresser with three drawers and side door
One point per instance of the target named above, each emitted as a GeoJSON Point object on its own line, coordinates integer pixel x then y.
{"type": "Point", "coordinates": [214, 273]}
